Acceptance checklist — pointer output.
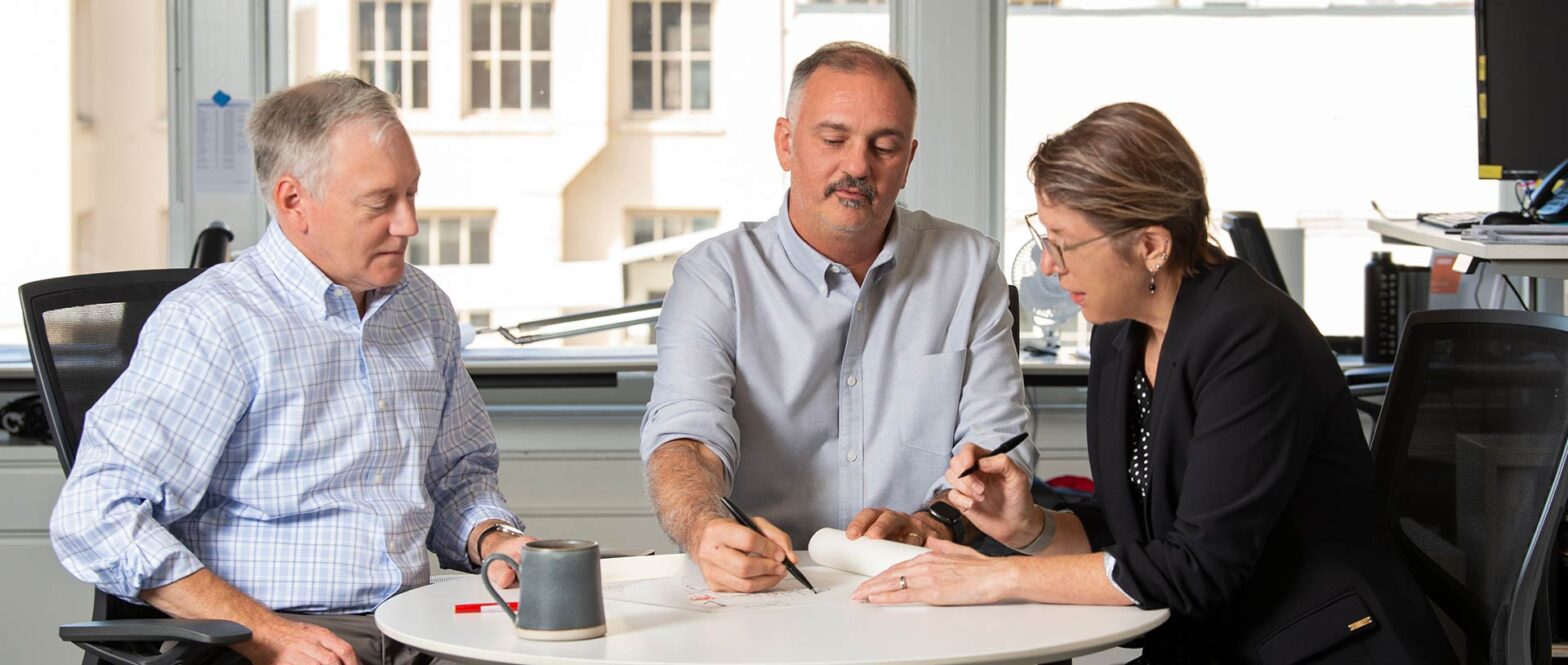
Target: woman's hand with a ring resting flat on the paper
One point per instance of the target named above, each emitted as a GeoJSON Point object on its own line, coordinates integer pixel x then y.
{"type": "Point", "coordinates": [953, 575]}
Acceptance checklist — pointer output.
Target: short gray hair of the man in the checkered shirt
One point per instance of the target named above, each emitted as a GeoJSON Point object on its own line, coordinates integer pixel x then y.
{"type": "Point", "coordinates": [291, 129]}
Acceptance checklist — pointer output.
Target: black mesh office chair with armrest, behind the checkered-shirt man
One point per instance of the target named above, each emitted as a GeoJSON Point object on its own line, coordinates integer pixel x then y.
{"type": "Point", "coordinates": [82, 333]}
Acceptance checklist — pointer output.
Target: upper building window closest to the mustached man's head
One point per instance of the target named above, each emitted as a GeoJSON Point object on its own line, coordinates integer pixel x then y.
{"type": "Point", "coordinates": [672, 56]}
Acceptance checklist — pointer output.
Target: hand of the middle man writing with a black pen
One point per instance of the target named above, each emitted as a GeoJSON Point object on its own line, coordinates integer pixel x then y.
{"type": "Point", "coordinates": [738, 559]}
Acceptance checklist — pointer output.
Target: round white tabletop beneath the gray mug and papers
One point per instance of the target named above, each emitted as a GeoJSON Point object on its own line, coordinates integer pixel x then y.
{"type": "Point", "coordinates": [824, 634]}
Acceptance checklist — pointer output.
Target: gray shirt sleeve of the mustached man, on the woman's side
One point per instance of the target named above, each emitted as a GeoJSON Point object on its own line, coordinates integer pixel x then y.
{"type": "Point", "coordinates": [993, 407]}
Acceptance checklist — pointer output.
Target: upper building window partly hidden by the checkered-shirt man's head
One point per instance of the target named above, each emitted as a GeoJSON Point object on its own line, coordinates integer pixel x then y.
{"type": "Point", "coordinates": [393, 46]}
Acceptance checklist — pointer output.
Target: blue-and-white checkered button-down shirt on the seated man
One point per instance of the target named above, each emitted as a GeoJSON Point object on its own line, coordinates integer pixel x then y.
{"type": "Point", "coordinates": [267, 432]}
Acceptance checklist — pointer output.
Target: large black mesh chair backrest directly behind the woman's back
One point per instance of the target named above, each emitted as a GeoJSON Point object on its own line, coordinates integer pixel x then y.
{"type": "Point", "coordinates": [1470, 457]}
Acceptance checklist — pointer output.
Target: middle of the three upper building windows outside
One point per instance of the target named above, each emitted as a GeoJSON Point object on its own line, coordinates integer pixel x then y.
{"type": "Point", "coordinates": [510, 56]}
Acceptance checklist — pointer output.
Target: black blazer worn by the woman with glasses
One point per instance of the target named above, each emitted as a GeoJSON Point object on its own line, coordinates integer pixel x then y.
{"type": "Point", "coordinates": [1261, 532]}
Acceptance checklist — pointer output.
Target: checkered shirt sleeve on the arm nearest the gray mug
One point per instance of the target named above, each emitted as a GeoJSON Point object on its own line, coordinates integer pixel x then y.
{"type": "Point", "coordinates": [463, 471]}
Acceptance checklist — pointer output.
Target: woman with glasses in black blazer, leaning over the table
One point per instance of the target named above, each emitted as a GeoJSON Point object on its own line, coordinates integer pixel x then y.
{"type": "Point", "coordinates": [1233, 482]}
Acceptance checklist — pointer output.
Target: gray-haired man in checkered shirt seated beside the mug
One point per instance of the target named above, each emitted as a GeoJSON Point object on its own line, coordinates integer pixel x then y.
{"type": "Point", "coordinates": [297, 427]}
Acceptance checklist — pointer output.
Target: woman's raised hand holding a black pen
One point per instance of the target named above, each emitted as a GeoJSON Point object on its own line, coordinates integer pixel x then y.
{"type": "Point", "coordinates": [995, 498]}
